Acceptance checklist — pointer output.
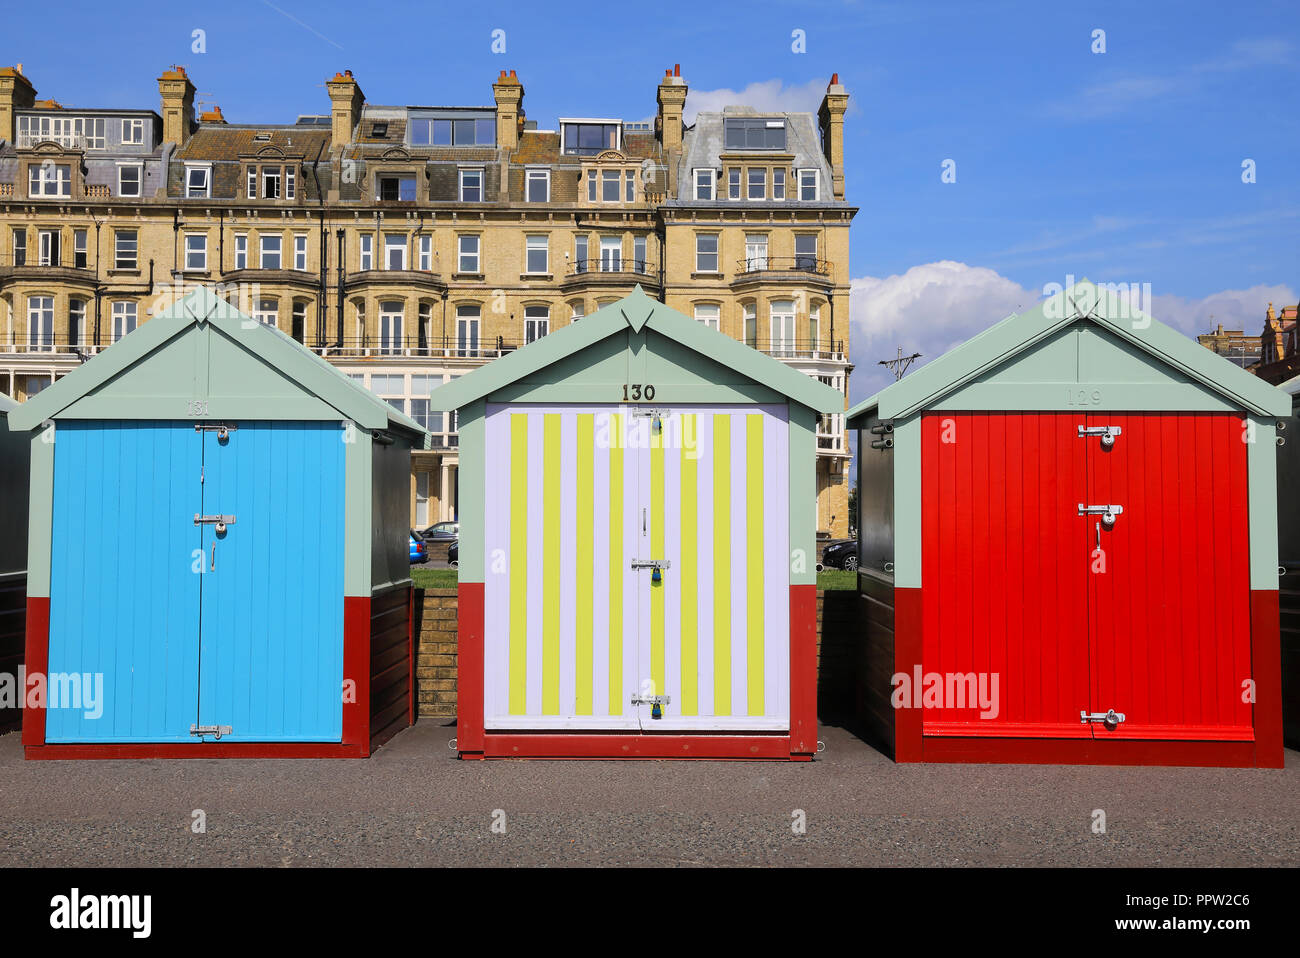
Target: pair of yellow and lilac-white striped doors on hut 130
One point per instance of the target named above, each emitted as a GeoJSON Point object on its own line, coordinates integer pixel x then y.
{"type": "Point", "coordinates": [574, 635]}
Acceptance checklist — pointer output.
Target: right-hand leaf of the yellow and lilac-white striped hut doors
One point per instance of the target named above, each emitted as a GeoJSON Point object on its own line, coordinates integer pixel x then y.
{"type": "Point", "coordinates": [716, 627]}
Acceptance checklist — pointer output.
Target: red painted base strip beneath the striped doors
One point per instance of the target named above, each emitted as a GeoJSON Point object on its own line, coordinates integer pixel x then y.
{"type": "Point", "coordinates": [634, 747]}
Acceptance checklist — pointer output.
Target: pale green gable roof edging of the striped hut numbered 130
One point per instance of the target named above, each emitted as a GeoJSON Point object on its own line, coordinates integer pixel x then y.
{"type": "Point", "coordinates": [638, 313]}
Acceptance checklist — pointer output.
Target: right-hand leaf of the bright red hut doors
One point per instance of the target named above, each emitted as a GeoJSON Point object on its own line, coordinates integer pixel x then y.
{"type": "Point", "coordinates": [1169, 589]}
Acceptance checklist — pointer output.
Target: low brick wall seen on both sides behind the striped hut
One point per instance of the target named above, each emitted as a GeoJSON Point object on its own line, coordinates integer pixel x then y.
{"type": "Point", "coordinates": [436, 652]}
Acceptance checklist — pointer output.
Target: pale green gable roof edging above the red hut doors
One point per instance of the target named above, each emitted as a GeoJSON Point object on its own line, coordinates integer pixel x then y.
{"type": "Point", "coordinates": [1089, 305]}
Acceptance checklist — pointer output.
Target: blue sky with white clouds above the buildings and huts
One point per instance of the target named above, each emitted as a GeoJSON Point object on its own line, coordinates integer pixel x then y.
{"type": "Point", "coordinates": [1124, 167]}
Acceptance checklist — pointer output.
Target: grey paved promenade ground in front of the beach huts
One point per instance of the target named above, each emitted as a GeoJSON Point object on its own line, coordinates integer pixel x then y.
{"type": "Point", "coordinates": [414, 804]}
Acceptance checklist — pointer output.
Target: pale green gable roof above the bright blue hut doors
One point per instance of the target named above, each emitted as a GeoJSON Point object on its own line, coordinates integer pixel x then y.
{"type": "Point", "coordinates": [252, 354]}
